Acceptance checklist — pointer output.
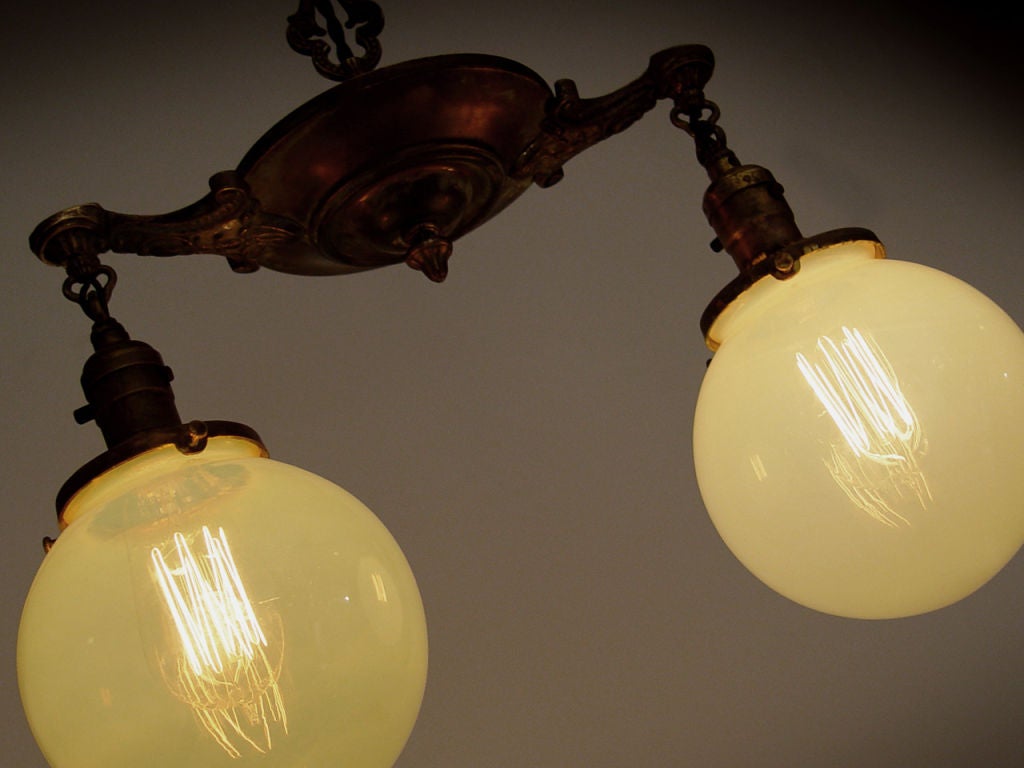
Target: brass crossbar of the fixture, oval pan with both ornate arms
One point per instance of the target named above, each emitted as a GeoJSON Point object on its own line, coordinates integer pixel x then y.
{"type": "Point", "coordinates": [391, 166]}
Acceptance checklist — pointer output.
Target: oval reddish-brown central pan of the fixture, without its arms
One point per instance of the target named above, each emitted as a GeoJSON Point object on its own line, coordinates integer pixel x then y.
{"type": "Point", "coordinates": [362, 167]}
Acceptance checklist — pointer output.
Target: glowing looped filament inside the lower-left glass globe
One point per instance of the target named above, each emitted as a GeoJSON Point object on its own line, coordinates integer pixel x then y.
{"type": "Point", "coordinates": [226, 670]}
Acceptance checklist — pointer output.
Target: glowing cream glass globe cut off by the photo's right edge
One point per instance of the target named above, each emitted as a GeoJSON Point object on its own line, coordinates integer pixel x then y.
{"type": "Point", "coordinates": [860, 437]}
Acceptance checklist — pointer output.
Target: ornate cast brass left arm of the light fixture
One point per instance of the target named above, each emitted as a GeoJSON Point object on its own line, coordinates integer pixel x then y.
{"type": "Point", "coordinates": [227, 223]}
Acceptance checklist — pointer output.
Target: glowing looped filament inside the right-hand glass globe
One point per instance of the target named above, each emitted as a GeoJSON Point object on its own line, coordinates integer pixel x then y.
{"type": "Point", "coordinates": [877, 461]}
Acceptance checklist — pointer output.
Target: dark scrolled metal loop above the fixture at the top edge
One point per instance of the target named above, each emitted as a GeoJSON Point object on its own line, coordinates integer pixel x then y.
{"type": "Point", "coordinates": [364, 16]}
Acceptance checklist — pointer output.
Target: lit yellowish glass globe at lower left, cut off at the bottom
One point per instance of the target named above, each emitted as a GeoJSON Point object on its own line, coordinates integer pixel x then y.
{"type": "Point", "coordinates": [222, 610]}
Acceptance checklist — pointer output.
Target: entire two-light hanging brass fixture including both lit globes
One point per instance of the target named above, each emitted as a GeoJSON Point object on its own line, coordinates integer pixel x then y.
{"type": "Point", "coordinates": [839, 480]}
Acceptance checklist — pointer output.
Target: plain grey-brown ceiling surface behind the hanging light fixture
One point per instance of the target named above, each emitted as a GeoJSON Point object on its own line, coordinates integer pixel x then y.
{"type": "Point", "coordinates": [524, 430]}
